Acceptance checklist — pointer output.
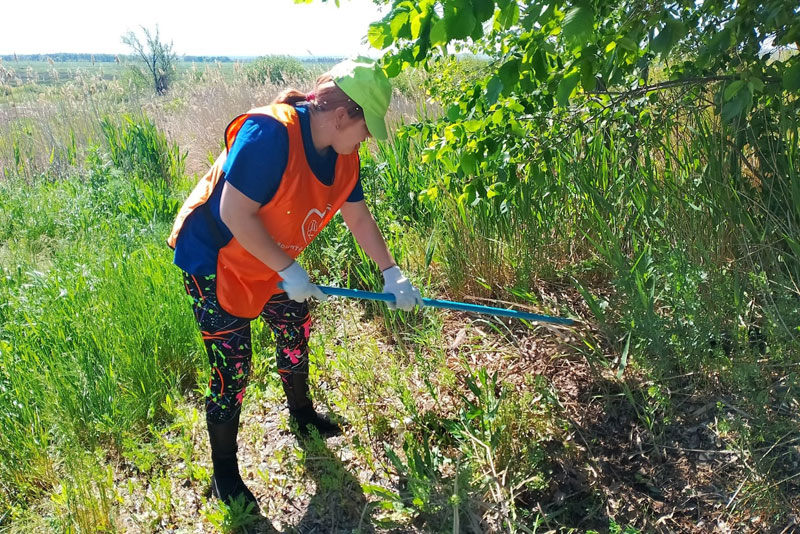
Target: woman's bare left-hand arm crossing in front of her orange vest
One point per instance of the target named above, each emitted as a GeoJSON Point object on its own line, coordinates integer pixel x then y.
{"type": "Point", "coordinates": [240, 215]}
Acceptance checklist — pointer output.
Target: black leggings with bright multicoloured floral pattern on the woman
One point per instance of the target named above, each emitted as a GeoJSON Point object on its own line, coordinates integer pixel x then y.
{"type": "Point", "coordinates": [228, 343]}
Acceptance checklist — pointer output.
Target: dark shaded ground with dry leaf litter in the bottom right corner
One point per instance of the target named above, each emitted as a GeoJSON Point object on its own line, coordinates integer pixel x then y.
{"type": "Point", "coordinates": [665, 476]}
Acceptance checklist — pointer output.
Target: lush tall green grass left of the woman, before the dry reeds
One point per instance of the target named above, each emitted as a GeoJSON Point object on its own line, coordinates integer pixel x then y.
{"type": "Point", "coordinates": [95, 331]}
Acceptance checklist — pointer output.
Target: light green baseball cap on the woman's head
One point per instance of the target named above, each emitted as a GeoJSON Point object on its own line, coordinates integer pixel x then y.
{"type": "Point", "coordinates": [366, 85]}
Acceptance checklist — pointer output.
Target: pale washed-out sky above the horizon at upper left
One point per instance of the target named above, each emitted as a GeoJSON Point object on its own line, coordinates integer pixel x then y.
{"type": "Point", "coordinates": [199, 27]}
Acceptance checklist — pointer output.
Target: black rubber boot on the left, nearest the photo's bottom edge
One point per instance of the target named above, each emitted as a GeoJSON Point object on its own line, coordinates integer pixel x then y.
{"type": "Point", "coordinates": [226, 483]}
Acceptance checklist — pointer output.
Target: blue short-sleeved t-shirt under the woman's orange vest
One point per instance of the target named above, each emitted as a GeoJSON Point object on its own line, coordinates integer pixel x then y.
{"type": "Point", "coordinates": [255, 166]}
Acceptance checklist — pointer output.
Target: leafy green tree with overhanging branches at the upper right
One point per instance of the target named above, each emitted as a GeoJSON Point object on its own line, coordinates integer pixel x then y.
{"type": "Point", "coordinates": [558, 66]}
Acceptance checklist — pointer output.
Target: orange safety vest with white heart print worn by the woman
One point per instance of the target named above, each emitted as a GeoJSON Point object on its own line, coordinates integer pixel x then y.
{"type": "Point", "coordinates": [299, 210]}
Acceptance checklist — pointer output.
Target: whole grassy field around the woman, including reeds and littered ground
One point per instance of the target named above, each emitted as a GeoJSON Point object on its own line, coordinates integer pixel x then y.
{"type": "Point", "coordinates": [672, 407]}
